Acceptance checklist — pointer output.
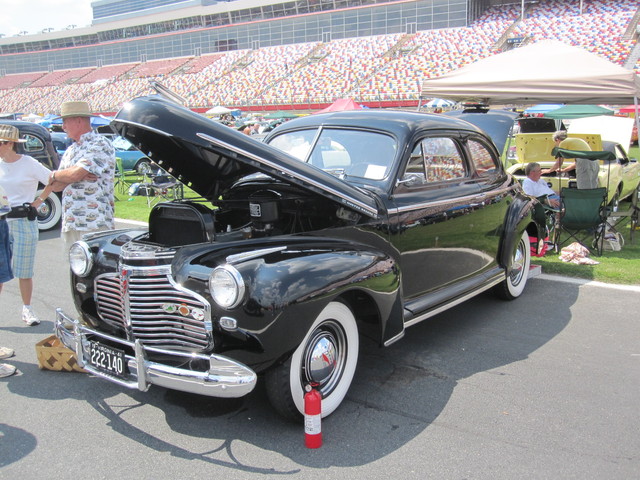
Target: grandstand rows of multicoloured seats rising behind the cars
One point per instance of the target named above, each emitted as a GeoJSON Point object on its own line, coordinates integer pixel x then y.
{"type": "Point", "coordinates": [386, 67]}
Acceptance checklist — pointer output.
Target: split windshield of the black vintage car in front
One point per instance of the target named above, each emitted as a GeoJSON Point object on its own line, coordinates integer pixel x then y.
{"type": "Point", "coordinates": [354, 153]}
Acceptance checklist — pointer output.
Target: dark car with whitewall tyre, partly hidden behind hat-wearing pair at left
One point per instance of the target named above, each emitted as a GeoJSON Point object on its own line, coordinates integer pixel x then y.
{"type": "Point", "coordinates": [40, 146]}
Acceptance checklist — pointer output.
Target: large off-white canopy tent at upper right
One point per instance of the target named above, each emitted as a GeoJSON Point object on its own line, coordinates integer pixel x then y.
{"type": "Point", "coordinates": [544, 72]}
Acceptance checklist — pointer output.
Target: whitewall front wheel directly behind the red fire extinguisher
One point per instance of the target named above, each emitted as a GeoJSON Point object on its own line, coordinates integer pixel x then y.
{"type": "Point", "coordinates": [327, 357]}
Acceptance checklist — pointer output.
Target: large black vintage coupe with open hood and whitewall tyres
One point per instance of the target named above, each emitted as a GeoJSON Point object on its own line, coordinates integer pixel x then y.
{"type": "Point", "coordinates": [339, 225]}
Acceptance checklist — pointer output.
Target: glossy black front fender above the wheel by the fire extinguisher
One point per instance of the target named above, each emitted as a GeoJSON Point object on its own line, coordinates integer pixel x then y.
{"type": "Point", "coordinates": [287, 289]}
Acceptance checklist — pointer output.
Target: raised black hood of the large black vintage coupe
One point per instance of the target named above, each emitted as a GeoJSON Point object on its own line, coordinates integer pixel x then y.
{"type": "Point", "coordinates": [210, 157]}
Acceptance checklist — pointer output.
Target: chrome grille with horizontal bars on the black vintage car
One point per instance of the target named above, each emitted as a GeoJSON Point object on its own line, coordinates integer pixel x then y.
{"type": "Point", "coordinates": [152, 308]}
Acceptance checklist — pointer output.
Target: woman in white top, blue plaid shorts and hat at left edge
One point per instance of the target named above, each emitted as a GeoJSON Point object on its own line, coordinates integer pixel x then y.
{"type": "Point", "coordinates": [19, 176]}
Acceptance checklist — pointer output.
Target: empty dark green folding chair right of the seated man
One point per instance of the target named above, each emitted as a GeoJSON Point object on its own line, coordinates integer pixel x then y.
{"type": "Point", "coordinates": [583, 217]}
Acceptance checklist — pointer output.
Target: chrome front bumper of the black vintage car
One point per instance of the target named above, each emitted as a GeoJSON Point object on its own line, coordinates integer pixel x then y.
{"type": "Point", "coordinates": [225, 378]}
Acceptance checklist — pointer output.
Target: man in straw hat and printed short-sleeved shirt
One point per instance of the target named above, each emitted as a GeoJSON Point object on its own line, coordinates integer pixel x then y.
{"type": "Point", "coordinates": [86, 174]}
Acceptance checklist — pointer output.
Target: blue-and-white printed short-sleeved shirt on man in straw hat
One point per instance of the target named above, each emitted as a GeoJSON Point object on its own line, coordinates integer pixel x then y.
{"type": "Point", "coordinates": [89, 205]}
